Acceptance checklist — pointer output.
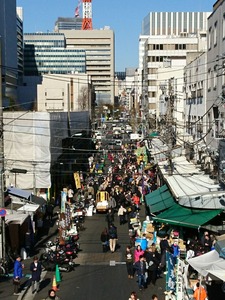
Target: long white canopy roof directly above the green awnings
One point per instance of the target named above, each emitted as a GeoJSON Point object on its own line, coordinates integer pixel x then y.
{"type": "Point", "coordinates": [191, 187]}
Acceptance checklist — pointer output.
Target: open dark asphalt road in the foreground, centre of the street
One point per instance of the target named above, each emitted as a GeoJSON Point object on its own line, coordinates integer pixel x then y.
{"type": "Point", "coordinates": [100, 275]}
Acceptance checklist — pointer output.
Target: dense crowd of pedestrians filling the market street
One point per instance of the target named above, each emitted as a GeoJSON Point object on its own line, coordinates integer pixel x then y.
{"type": "Point", "coordinates": [128, 180]}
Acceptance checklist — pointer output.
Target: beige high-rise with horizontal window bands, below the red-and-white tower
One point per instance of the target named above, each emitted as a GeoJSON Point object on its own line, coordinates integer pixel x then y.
{"type": "Point", "coordinates": [100, 59]}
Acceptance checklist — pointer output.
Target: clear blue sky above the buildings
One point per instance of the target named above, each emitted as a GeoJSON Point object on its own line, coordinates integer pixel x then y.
{"type": "Point", "coordinates": [123, 16]}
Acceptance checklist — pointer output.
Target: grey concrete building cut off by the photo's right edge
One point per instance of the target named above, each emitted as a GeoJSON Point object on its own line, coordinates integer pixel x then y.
{"type": "Point", "coordinates": [216, 83]}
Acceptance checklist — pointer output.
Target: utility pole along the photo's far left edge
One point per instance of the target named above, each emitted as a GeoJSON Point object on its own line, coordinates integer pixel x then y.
{"type": "Point", "coordinates": [2, 198]}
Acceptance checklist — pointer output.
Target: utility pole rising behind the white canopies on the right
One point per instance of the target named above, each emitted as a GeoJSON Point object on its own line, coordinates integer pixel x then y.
{"type": "Point", "coordinates": [169, 123]}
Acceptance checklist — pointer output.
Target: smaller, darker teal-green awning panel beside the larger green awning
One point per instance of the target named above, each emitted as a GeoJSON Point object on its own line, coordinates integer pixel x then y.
{"type": "Point", "coordinates": [159, 199]}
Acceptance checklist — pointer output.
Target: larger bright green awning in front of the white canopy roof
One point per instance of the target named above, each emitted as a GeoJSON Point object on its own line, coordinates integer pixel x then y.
{"type": "Point", "coordinates": [187, 217]}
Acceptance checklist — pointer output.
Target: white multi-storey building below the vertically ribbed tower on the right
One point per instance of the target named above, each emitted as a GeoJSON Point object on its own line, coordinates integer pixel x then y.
{"type": "Point", "coordinates": [166, 52]}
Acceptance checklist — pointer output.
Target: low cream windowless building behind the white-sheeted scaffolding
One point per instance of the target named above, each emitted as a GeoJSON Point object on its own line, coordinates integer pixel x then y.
{"type": "Point", "coordinates": [71, 93]}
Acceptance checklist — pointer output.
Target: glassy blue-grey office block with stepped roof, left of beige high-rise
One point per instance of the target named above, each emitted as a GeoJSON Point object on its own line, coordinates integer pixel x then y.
{"type": "Point", "coordinates": [46, 53]}
